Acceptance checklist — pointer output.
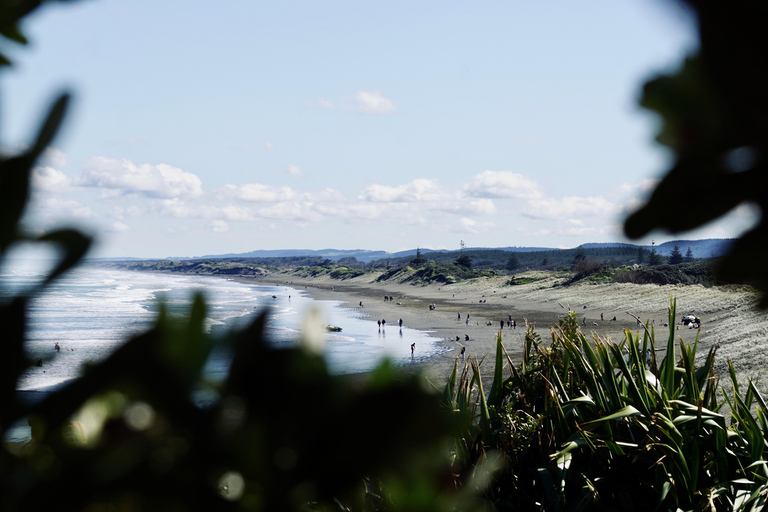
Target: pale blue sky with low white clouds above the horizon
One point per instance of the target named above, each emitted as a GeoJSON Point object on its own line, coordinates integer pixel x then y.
{"type": "Point", "coordinates": [225, 127]}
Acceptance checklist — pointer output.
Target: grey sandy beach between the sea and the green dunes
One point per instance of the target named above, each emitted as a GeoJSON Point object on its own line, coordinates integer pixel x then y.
{"type": "Point", "coordinates": [729, 314]}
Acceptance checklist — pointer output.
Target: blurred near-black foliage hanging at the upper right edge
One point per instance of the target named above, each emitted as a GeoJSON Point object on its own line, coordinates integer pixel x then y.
{"type": "Point", "coordinates": [713, 112]}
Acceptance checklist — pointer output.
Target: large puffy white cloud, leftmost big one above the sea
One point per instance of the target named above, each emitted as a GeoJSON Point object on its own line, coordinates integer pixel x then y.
{"type": "Point", "coordinates": [125, 177]}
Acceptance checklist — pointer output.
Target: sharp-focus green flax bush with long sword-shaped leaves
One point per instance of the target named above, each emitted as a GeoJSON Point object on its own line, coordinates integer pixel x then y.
{"type": "Point", "coordinates": [589, 425]}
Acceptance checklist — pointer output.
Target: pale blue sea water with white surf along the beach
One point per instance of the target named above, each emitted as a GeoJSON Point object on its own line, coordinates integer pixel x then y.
{"type": "Point", "coordinates": [92, 310]}
